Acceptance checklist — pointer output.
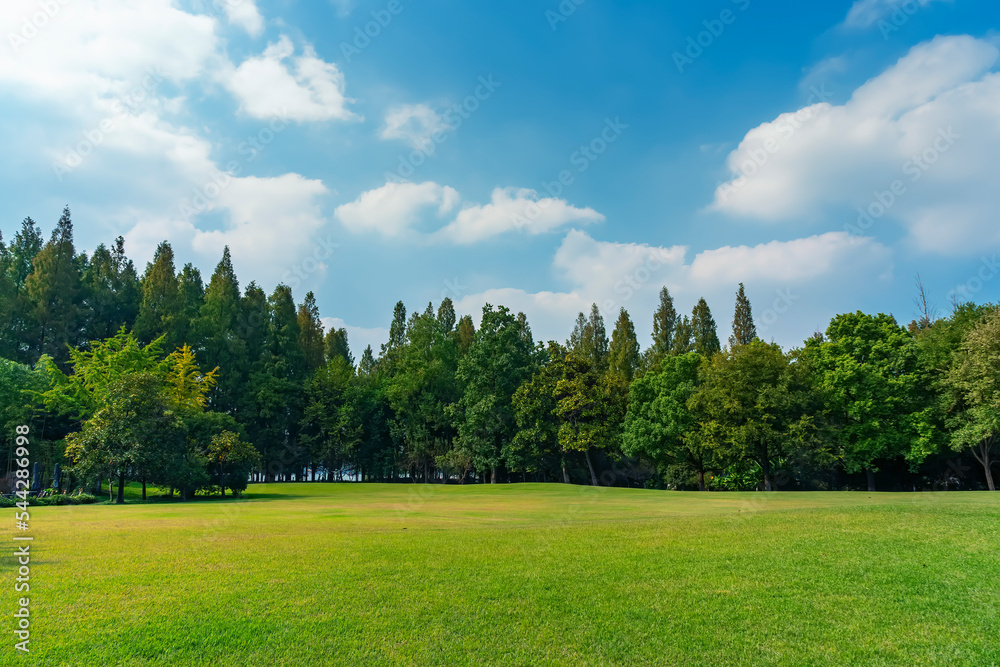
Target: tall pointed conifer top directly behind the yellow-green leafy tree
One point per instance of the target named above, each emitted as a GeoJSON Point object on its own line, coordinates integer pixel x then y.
{"type": "Point", "coordinates": [161, 308]}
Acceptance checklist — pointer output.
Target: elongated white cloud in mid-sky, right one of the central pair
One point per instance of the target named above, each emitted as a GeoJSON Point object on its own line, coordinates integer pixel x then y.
{"type": "Point", "coordinates": [514, 209]}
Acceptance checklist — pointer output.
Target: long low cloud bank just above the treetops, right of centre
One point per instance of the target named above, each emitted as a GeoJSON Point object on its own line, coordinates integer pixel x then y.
{"type": "Point", "coordinates": [795, 286]}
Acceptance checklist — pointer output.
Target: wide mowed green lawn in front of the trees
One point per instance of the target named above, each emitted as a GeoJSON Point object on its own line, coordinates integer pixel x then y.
{"type": "Point", "coordinates": [522, 574]}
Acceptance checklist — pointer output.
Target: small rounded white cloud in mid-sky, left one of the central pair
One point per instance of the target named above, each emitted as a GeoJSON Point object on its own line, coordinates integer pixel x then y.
{"type": "Point", "coordinates": [394, 208]}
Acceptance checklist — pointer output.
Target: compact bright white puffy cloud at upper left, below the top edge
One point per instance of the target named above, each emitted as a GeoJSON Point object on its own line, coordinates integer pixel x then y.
{"type": "Point", "coordinates": [304, 89]}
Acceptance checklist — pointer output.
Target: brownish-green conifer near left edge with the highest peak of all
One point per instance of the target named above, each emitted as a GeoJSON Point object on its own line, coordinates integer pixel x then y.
{"type": "Point", "coordinates": [54, 292]}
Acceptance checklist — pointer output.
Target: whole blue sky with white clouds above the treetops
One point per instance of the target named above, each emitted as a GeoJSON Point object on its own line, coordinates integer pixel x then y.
{"type": "Point", "coordinates": [823, 154]}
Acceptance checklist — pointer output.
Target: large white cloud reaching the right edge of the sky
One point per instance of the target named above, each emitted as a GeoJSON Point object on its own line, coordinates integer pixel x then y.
{"type": "Point", "coordinates": [915, 144]}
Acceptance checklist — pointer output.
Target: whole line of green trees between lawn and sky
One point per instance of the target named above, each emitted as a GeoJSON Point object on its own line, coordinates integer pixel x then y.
{"type": "Point", "coordinates": [164, 379]}
